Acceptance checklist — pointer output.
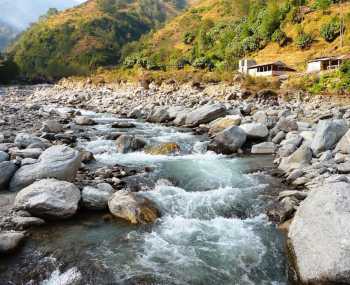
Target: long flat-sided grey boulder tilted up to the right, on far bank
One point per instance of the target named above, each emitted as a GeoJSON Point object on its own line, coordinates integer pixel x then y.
{"type": "Point", "coordinates": [205, 114]}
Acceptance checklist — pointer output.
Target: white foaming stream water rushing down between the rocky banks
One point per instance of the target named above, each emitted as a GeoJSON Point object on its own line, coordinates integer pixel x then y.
{"type": "Point", "coordinates": [213, 229]}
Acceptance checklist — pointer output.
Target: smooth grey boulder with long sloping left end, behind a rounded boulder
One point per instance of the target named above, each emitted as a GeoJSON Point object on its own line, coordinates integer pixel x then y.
{"type": "Point", "coordinates": [60, 162]}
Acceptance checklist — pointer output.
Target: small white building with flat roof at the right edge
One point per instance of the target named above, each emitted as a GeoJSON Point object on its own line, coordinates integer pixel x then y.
{"type": "Point", "coordinates": [325, 63]}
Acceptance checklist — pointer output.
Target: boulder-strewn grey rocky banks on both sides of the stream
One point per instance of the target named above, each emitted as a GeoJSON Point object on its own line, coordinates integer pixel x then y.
{"type": "Point", "coordinates": [309, 137]}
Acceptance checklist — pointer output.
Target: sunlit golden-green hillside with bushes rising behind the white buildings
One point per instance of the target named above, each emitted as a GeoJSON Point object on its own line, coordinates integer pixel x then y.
{"type": "Point", "coordinates": [217, 33]}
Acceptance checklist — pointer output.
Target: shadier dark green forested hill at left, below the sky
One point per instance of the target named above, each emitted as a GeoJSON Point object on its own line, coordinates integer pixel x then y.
{"type": "Point", "coordinates": [83, 38]}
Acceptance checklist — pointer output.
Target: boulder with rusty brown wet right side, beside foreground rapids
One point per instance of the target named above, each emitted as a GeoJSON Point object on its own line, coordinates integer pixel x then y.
{"type": "Point", "coordinates": [133, 208]}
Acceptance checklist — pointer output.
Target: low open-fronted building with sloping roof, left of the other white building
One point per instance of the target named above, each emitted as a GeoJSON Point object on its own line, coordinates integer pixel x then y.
{"type": "Point", "coordinates": [276, 68]}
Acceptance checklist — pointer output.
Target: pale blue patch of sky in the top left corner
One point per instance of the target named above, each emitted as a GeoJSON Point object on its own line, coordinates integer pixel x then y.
{"type": "Point", "coordinates": [20, 13]}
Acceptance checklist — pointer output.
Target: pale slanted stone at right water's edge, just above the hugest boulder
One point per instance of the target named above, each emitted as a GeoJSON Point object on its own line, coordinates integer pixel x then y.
{"type": "Point", "coordinates": [300, 158]}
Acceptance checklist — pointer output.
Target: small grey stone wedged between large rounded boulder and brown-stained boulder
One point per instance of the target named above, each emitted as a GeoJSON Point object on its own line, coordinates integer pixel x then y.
{"type": "Point", "coordinates": [96, 198]}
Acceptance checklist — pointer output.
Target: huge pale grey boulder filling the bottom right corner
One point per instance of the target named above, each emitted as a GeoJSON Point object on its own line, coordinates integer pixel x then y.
{"type": "Point", "coordinates": [319, 236]}
